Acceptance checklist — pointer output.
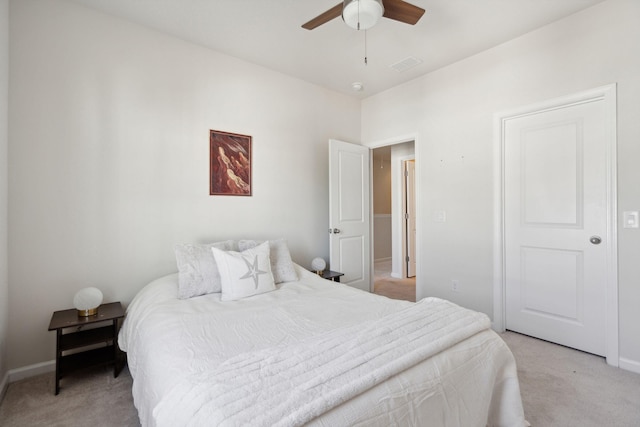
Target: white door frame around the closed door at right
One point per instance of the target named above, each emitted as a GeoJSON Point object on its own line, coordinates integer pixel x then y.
{"type": "Point", "coordinates": [606, 94]}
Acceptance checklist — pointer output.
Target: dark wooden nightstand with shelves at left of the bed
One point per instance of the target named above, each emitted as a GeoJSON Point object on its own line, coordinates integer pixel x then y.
{"type": "Point", "coordinates": [86, 342]}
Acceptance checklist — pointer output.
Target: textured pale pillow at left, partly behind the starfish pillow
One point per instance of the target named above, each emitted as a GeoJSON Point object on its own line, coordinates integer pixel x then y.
{"type": "Point", "coordinates": [197, 269]}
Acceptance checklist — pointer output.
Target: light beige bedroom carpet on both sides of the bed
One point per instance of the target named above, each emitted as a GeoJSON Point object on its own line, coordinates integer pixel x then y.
{"type": "Point", "coordinates": [560, 387]}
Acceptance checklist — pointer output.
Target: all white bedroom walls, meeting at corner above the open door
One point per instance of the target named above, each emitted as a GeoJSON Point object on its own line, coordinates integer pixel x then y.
{"type": "Point", "coordinates": [107, 132]}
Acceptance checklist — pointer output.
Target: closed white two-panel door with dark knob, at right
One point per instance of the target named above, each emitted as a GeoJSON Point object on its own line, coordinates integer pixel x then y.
{"type": "Point", "coordinates": [555, 225]}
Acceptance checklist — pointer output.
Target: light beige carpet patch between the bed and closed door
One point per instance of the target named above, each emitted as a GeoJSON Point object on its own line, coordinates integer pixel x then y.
{"type": "Point", "coordinates": [568, 388]}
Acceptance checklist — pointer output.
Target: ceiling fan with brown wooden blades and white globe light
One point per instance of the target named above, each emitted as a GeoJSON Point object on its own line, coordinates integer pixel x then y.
{"type": "Point", "coordinates": [364, 14]}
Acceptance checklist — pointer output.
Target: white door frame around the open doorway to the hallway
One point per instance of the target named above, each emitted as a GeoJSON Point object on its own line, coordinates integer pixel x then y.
{"type": "Point", "coordinates": [384, 143]}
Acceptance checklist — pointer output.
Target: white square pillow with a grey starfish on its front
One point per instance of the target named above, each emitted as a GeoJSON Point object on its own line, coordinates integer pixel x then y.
{"type": "Point", "coordinates": [244, 273]}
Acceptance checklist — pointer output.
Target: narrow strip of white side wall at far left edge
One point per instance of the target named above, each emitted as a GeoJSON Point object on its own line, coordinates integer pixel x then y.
{"type": "Point", "coordinates": [4, 135]}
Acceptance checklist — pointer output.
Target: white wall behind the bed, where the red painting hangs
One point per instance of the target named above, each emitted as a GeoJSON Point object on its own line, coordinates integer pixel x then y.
{"type": "Point", "coordinates": [109, 155]}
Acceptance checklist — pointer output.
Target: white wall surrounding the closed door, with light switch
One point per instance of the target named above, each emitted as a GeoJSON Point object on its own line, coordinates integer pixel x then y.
{"type": "Point", "coordinates": [451, 110]}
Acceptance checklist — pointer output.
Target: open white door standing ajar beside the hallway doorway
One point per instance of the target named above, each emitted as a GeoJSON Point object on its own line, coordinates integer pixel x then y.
{"type": "Point", "coordinates": [349, 217]}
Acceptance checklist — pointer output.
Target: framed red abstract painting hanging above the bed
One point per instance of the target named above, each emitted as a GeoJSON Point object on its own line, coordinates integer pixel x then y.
{"type": "Point", "coordinates": [229, 164]}
